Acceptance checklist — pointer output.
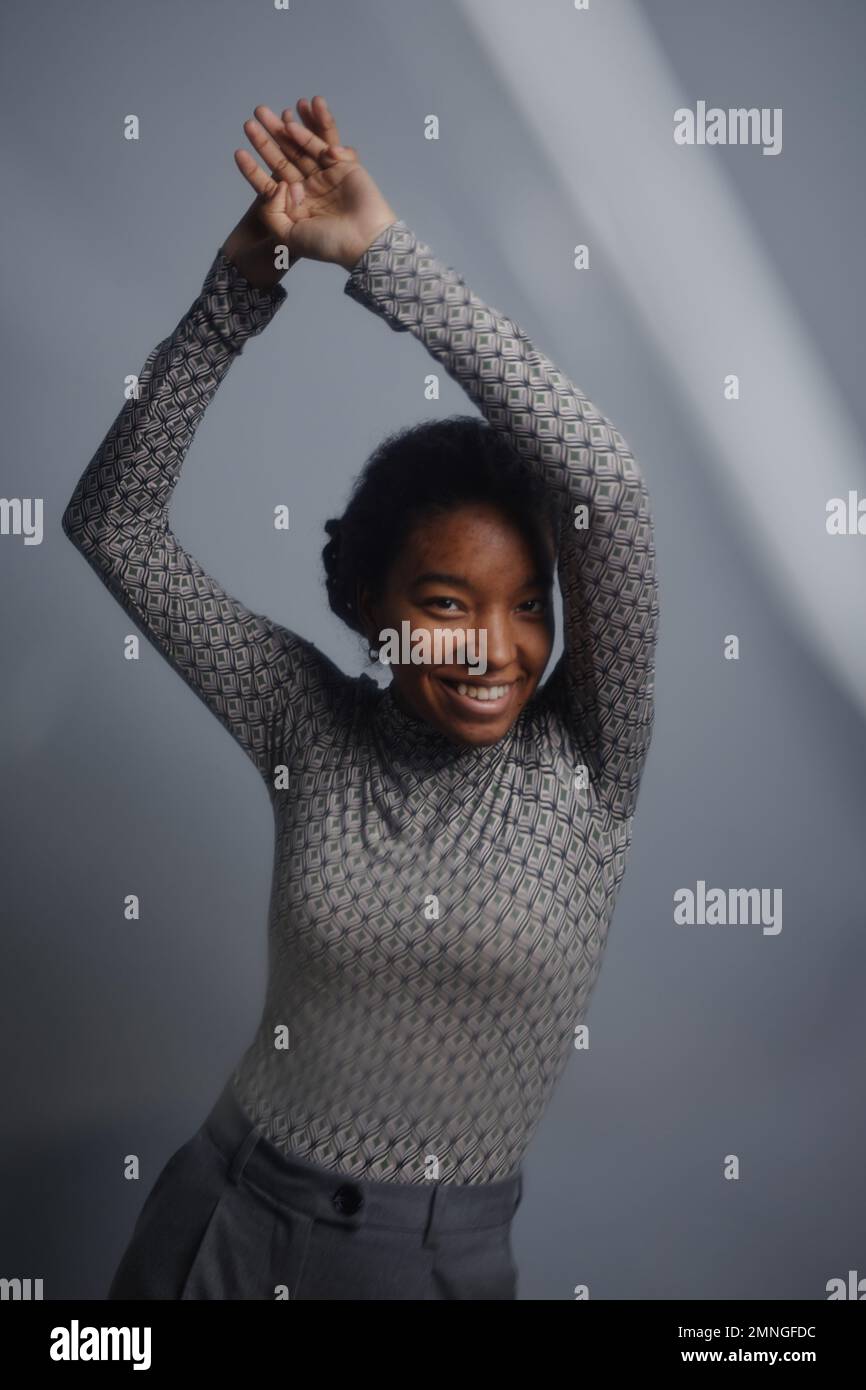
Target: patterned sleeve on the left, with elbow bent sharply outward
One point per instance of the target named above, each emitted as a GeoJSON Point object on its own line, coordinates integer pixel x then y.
{"type": "Point", "coordinates": [241, 664]}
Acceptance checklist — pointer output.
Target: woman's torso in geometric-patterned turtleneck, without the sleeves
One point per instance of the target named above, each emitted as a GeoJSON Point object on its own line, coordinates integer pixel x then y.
{"type": "Point", "coordinates": [437, 925]}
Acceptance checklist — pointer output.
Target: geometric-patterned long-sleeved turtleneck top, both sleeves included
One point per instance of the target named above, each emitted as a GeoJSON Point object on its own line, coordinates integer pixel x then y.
{"type": "Point", "coordinates": [439, 911]}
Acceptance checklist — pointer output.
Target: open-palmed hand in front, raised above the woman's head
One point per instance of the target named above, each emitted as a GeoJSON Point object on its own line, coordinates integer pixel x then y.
{"type": "Point", "coordinates": [318, 199]}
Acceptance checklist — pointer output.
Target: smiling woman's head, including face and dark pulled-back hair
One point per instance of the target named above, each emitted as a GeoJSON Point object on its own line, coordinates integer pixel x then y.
{"type": "Point", "coordinates": [447, 526]}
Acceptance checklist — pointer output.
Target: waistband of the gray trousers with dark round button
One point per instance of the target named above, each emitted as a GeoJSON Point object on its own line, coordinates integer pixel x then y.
{"type": "Point", "coordinates": [432, 1207]}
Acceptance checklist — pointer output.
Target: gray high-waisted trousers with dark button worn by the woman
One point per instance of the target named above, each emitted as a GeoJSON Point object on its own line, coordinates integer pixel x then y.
{"type": "Point", "coordinates": [231, 1217]}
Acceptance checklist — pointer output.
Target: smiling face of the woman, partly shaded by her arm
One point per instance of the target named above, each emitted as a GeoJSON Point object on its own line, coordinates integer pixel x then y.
{"type": "Point", "coordinates": [471, 569]}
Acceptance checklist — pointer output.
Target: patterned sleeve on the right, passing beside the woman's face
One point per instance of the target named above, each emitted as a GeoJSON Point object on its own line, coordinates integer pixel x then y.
{"type": "Point", "coordinates": [601, 693]}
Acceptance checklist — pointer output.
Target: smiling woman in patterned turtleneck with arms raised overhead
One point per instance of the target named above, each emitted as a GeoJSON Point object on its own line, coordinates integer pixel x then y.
{"type": "Point", "coordinates": [450, 850]}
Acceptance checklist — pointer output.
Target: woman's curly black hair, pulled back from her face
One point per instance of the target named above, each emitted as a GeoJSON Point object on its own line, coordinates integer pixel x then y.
{"type": "Point", "coordinates": [422, 471]}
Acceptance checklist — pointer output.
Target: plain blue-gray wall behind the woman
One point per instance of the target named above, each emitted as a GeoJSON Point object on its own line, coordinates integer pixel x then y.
{"type": "Point", "coordinates": [705, 1042]}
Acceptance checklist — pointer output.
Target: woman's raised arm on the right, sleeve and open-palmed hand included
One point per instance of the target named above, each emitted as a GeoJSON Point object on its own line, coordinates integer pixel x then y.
{"type": "Point", "coordinates": [600, 698]}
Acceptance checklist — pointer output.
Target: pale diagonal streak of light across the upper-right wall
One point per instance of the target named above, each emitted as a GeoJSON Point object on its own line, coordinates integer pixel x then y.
{"type": "Point", "coordinates": [667, 216]}
